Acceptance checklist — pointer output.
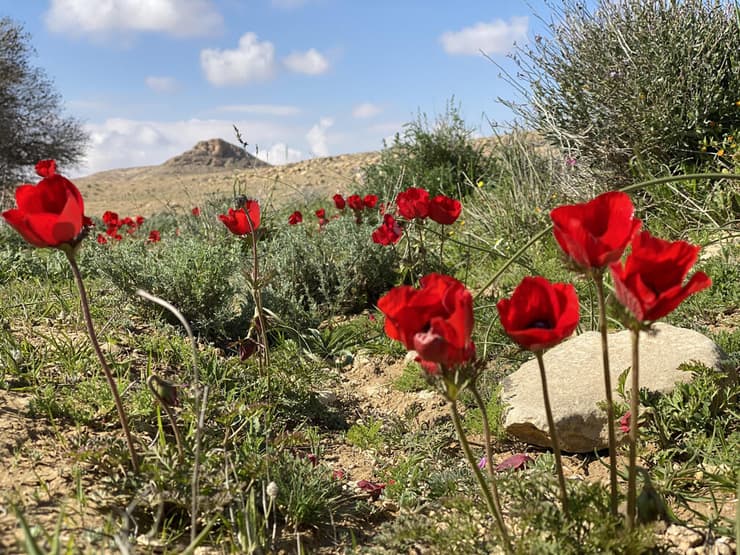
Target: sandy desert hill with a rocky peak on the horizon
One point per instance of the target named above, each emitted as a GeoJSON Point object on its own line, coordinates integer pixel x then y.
{"type": "Point", "coordinates": [212, 168]}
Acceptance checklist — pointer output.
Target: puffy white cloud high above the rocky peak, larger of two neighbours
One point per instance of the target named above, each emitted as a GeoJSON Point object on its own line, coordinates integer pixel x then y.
{"type": "Point", "coordinates": [250, 61]}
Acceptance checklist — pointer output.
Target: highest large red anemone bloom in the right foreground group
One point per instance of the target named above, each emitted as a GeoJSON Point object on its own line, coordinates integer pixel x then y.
{"type": "Point", "coordinates": [594, 234]}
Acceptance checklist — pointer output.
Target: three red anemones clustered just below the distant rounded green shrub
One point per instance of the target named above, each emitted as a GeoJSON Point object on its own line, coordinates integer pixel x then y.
{"type": "Point", "coordinates": [416, 204]}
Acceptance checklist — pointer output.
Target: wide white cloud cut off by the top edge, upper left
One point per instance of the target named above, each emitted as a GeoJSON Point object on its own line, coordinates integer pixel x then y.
{"type": "Point", "coordinates": [180, 18]}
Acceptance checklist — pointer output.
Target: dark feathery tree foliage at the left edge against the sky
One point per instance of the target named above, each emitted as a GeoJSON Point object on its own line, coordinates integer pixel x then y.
{"type": "Point", "coordinates": [31, 120]}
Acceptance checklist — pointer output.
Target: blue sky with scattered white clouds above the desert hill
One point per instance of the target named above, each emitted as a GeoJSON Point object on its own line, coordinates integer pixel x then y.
{"type": "Point", "coordinates": [300, 78]}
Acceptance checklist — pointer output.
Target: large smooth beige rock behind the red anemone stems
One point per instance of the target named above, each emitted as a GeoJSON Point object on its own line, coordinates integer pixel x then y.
{"type": "Point", "coordinates": [576, 384]}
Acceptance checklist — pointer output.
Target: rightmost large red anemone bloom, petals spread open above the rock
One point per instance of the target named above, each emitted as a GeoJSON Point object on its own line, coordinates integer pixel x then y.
{"type": "Point", "coordinates": [651, 283]}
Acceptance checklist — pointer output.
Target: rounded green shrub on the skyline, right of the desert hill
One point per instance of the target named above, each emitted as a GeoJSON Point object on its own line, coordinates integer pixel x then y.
{"type": "Point", "coordinates": [439, 157]}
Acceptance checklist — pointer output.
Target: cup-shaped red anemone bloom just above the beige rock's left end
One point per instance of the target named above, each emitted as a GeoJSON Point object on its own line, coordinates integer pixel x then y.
{"type": "Point", "coordinates": [539, 313]}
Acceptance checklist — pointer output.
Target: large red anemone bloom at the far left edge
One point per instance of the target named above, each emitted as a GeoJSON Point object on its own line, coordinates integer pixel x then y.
{"type": "Point", "coordinates": [49, 214]}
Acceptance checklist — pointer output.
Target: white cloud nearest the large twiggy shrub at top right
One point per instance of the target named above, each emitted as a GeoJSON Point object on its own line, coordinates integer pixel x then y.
{"type": "Point", "coordinates": [496, 37]}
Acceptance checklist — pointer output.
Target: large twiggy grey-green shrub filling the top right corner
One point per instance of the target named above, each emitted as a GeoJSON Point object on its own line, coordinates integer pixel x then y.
{"type": "Point", "coordinates": [634, 86]}
